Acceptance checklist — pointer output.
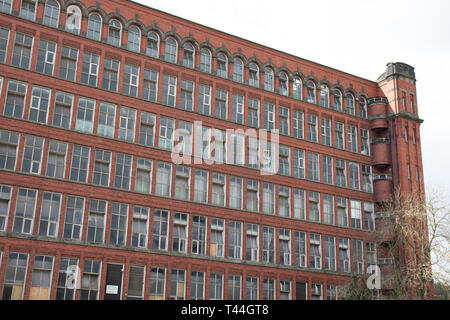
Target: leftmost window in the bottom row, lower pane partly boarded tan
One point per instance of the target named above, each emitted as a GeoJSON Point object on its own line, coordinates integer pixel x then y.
{"type": "Point", "coordinates": [15, 274]}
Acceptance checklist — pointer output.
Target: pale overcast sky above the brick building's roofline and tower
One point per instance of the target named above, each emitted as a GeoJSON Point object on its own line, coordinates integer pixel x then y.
{"type": "Point", "coordinates": [358, 37]}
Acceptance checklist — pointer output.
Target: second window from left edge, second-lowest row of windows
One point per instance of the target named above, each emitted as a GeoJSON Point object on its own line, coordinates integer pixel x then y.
{"type": "Point", "coordinates": [25, 208]}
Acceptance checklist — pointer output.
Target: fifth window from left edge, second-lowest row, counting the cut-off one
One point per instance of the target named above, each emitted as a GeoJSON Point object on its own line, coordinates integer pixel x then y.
{"type": "Point", "coordinates": [96, 222]}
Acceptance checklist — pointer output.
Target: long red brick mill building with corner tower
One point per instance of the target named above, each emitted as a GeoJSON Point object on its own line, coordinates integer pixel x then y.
{"type": "Point", "coordinates": [96, 98]}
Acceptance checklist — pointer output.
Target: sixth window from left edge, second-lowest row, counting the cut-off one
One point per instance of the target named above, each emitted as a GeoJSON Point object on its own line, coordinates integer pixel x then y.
{"type": "Point", "coordinates": [119, 223]}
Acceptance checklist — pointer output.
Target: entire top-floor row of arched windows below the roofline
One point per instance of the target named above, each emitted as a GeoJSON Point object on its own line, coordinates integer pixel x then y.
{"type": "Point", "coordinates": [115, 31]}
